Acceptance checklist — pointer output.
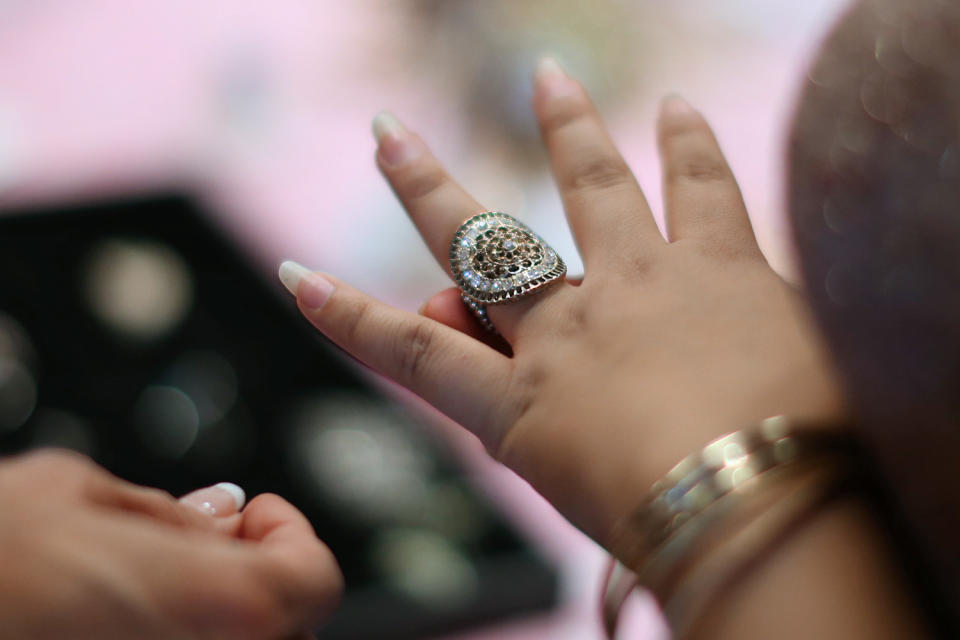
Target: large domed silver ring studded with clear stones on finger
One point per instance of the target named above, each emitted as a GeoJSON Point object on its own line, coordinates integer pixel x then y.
{"type": "Point", "coordinates": [496, 259]}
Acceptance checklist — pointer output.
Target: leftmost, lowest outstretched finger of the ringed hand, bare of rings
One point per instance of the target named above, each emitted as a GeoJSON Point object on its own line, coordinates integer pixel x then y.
{"type": "Point", "coordinates": [463, 378]}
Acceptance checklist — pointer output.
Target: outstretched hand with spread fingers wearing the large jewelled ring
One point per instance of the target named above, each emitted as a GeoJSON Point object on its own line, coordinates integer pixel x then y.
{"type": "Point", "coordinates": [600, 386]}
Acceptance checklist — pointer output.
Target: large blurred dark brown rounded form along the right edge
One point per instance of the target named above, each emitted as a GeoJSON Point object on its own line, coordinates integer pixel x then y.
{"type": "Point", "coordinates": [875, 205]}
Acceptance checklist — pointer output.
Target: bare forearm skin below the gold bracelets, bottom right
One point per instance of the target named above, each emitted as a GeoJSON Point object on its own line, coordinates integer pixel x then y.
{"type": "Point", "coordinates": [833, 578]}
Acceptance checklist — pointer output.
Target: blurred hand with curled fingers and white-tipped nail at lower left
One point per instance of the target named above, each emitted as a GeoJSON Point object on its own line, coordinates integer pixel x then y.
{"type": "Point", "coordinates": [86, 555]}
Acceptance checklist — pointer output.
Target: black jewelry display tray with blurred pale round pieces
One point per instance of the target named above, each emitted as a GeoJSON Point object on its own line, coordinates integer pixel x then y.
{"type": "Point", "coordinates": [240, 388]}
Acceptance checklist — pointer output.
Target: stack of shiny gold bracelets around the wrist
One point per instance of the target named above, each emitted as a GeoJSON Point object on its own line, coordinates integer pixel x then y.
{"type": "Point", "coordinates": [720, 510]}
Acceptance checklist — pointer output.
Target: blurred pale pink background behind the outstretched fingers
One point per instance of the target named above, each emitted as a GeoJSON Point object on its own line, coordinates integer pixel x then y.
{"type": "Point", "coordinates": [262, 110]}
